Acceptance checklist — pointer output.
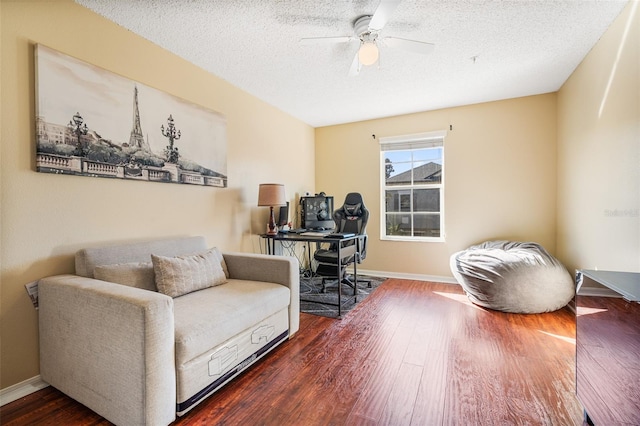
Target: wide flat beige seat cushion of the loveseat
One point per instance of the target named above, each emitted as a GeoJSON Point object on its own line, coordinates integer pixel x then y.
{"type": "Point", "coordinates": [207, 318]}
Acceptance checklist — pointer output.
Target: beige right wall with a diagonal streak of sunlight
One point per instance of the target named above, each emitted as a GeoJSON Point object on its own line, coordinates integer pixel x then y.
{"type": "Point", "coordinates": [599, 153]}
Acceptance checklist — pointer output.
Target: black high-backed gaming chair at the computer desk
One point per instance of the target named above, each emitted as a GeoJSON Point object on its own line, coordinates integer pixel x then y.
{"type": "Point", "coordinates": [352, 217]}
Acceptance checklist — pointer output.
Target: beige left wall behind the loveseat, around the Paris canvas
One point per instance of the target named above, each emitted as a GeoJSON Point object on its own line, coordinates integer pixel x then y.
{"type": "Point", "coordinates": [45, 217]}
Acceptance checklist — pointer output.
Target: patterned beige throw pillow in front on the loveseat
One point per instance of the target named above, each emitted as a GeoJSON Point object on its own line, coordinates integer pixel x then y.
{"type": "Point", "coordinates": [176, 276]}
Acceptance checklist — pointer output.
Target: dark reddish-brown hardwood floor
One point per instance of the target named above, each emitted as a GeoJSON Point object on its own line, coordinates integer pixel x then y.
{"type": "Point", "coordinates": [413, 353]}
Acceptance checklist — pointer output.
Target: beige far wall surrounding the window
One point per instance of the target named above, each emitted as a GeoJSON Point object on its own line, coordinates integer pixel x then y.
{"type": "Point", "coordinates": [500, 177]}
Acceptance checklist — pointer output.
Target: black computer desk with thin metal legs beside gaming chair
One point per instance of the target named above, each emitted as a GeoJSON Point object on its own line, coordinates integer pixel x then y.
{"type": "Point", "coordinates": [345, 251]}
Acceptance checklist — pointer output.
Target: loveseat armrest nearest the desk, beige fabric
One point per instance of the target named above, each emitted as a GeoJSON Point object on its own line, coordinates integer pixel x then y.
{"type": "Point", "coordinates": [274, 269]}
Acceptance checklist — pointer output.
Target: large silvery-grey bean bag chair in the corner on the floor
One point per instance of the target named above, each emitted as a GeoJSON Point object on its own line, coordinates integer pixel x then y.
{"type": "Point", "coordinates": [513, 277]}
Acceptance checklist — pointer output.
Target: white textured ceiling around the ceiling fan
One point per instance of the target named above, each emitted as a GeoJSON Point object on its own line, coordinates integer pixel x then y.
{"type": "Point", "coordinates": [520, 48]}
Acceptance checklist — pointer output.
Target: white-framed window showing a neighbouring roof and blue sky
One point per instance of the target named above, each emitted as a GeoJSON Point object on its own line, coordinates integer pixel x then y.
{"type": "Point", "coordinates": [412, 187]}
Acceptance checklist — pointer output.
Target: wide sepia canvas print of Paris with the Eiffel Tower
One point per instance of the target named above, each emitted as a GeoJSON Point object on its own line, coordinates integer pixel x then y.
{"type": "Point", "coordinates": [92, 122]}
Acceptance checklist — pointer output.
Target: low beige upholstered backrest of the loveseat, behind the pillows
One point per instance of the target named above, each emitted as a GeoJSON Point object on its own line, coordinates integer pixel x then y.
{"type": "Point", "coordinates": [87, 259]}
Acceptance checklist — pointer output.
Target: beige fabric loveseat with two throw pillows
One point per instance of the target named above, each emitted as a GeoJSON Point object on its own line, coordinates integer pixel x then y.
{"type": "Point", "coordinates": [138, 356]}
